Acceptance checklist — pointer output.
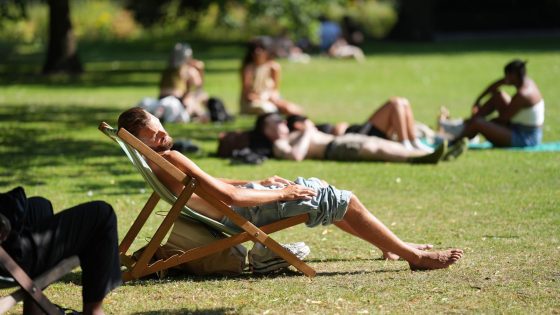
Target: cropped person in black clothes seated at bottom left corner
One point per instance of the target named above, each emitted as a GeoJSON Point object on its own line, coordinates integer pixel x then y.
{"type": "Point", "coordinates": [41, 239]}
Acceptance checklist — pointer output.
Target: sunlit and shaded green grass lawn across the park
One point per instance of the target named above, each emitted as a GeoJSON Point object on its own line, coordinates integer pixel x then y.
{"type": "Point", "coordinates": [501, 207]}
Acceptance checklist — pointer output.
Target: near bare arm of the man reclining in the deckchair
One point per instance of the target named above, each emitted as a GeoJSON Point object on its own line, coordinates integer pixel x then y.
{"type": "Point", "coordinates": [230, 194]}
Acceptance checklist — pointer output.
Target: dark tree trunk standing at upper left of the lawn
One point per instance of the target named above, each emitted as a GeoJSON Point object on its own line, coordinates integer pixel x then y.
{"type": "Point", "coordinates": [62, 50]}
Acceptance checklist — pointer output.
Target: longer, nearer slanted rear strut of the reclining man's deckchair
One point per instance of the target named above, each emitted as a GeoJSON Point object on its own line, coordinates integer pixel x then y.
{"type": "Point", "coordinates": [164, 227]}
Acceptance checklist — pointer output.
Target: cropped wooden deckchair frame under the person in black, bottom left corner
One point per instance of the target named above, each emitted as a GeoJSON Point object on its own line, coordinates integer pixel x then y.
{"type": "Point", "coordinates": [32, 288]}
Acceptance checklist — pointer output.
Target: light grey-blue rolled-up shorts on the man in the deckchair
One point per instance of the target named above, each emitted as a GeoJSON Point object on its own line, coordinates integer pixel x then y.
{"type": "Point", "coordinates": [329, 205]}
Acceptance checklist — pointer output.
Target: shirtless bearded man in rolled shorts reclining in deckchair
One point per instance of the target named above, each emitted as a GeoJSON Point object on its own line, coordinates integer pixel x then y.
{"type": "Point", "coordinates": [276, 198]}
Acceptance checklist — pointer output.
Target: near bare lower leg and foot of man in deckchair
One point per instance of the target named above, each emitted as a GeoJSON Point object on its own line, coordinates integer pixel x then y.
{"type": "Point", "coordinates": [369, 228]}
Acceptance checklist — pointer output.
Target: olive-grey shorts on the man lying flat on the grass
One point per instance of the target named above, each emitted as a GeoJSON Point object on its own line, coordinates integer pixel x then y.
{"type": "Point", "coordinates": [346, 147]}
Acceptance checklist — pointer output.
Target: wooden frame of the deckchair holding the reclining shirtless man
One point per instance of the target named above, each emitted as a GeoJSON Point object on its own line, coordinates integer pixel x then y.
{"type": "Point", "coordinates": [136, 151]}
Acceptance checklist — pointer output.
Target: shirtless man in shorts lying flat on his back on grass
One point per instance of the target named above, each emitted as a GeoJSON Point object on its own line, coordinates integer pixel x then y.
{"type": "Point", "coordinates": [271, 135]}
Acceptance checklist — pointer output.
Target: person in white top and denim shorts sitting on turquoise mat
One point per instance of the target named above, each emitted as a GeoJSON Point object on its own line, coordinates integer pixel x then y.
{"type": "Point", "coordinates": [520, 118]}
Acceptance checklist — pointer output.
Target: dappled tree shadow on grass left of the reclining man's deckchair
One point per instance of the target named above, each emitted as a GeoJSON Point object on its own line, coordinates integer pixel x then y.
{"type": "Point", "coordinates": [37, 138]}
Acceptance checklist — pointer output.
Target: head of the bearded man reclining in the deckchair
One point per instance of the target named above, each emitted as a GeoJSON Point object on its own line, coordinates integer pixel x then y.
{"type": "Point", "coordinates": [145, 127]}
